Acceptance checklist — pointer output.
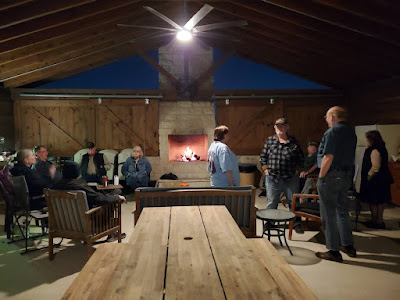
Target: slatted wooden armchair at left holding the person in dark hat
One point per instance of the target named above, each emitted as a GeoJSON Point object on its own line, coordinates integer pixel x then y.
{"type": "Point", "coordinates": [70, 217]}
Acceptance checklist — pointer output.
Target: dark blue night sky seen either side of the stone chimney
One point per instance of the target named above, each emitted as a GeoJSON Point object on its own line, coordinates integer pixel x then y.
{"type": "Point", "coordinates": [135, 73]}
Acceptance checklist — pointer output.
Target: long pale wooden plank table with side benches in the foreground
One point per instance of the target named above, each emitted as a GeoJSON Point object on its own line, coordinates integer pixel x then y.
{"type": "Point", "coordinates": [190, 252]}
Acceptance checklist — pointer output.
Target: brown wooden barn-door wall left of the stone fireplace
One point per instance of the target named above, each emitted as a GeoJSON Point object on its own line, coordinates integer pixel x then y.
{"type": "Point", "coordinates": [65, 126]}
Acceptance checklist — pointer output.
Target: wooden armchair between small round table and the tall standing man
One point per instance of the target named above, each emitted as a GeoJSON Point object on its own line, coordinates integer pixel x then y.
{"type": "Point", "coordinates": [308, 210]}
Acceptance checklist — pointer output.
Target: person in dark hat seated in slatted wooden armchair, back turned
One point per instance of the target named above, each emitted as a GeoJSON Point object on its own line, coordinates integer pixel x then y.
{"type": "Point", "coordinates": [70, 182]}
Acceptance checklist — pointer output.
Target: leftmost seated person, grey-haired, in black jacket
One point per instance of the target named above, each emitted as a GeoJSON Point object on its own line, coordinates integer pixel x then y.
{"type": "Point", "coordinates": [36, 183]}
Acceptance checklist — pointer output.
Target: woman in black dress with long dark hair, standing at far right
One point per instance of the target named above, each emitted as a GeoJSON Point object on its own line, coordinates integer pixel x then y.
{"type": "Point", "coordinates": [375, 178]}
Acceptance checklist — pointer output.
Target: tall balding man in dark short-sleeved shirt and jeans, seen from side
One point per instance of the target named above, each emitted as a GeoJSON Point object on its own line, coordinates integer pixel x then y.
{"type": "Point", "coordinates": [335, 159]}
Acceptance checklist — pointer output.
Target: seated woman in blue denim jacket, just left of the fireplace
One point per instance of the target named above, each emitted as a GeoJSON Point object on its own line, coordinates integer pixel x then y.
{"type": "Point", "coordinates": [137, 169]}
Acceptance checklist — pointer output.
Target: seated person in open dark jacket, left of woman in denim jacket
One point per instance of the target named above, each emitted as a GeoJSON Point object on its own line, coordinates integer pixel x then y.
{"type": "Point", "coordinates": [94, 165]}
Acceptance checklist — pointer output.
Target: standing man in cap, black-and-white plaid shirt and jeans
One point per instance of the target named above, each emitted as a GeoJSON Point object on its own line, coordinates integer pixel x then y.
{"type": "Point", "coordinates": [279, 159]}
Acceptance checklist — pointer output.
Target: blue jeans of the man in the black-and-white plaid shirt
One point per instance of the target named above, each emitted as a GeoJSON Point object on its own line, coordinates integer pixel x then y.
{"type": "Point", "coordinates": [274, 189]}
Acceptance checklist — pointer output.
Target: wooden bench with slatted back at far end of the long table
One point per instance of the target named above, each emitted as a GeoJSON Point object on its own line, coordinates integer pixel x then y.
{"type": "Point", "coordinates": [240, 202]}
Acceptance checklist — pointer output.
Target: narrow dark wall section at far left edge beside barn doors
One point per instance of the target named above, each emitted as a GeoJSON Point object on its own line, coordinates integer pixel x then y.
{"type": "Point", "coordinates": [6, 120]}
